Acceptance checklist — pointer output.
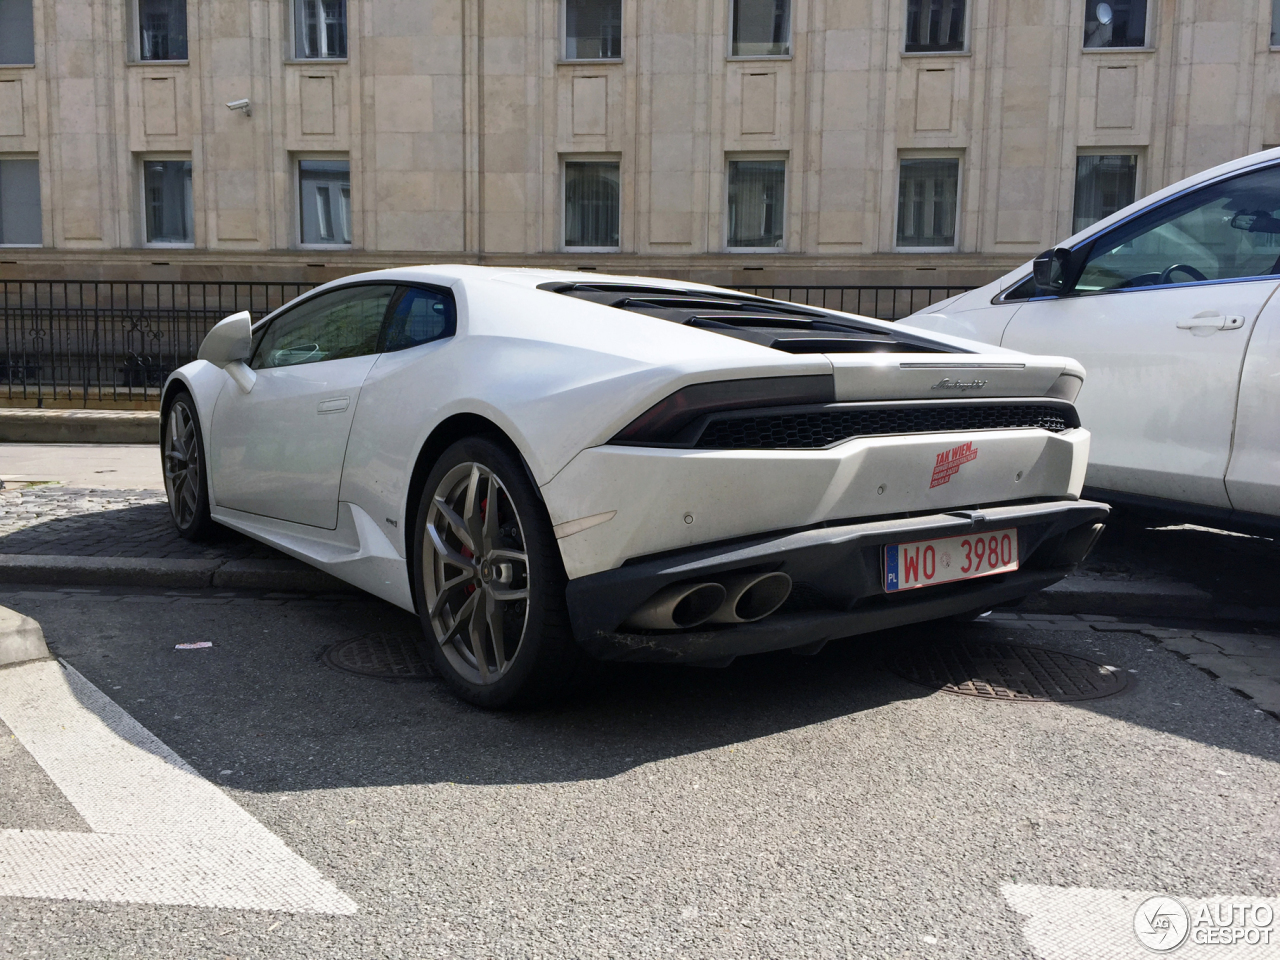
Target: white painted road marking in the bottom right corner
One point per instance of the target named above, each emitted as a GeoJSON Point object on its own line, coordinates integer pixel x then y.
{"type": "Point", "coordinates": [1081, 924]}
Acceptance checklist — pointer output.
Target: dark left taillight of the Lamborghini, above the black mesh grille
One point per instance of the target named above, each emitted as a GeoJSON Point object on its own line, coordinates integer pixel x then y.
{"type": "Point", "coordinates": [664, 422]}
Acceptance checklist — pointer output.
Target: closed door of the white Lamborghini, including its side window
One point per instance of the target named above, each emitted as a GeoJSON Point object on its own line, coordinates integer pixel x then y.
{"type": "Point", "coordinates": [278, 450]}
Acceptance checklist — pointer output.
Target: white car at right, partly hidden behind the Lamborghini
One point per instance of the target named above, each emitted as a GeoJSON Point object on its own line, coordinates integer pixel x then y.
{"type": "Point", "coordinates": [1171, 307]}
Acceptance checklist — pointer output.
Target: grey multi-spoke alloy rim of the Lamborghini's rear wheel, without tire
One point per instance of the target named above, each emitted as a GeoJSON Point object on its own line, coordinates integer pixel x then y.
{"type": "Point", "coordinates": [476, 573]}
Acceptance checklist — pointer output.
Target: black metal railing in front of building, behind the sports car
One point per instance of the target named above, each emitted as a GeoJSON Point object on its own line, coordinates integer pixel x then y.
{"type": "Point", "coordinates": [102, 344]}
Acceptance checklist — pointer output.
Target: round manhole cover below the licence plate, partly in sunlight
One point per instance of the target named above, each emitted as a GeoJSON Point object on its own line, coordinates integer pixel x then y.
{"type": "Point", "coordinates": [1007, 673]}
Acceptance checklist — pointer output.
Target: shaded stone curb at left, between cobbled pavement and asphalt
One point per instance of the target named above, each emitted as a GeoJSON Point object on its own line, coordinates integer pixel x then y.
{"type": "Point", "coordinates": [284, 574]}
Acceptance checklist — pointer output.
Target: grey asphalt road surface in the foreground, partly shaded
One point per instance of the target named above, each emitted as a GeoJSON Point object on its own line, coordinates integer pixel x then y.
{"type": "Point", "coordinates": [784, 807]}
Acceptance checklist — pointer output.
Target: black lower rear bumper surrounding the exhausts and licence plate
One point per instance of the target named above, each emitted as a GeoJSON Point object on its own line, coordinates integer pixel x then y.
{"type": "Point", "coordinates": [836, 572]}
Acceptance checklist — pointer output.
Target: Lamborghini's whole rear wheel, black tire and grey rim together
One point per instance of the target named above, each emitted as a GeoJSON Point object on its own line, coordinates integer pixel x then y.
{"type": "Point", "coordinates": [472, 610]}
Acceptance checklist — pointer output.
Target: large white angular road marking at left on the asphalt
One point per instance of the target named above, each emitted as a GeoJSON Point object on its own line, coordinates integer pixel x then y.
{"type": "Point", "coordinates": [162, 833]}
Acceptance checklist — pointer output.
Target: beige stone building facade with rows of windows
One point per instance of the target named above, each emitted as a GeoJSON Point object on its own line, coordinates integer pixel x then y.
{"type": "Point", "coordinates": [735, 141]}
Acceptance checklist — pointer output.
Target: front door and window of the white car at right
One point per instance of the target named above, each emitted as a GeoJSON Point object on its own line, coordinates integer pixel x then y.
{"type": "Point", "coordinates": [1160, 317]}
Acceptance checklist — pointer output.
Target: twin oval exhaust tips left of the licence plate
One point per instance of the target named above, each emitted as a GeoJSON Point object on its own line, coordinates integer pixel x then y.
{"type": "Point", "coordinates": [739, 598]}
